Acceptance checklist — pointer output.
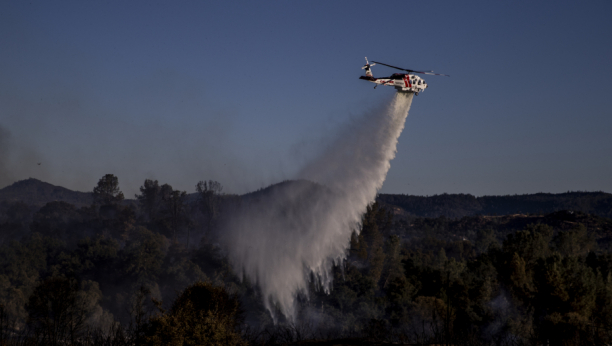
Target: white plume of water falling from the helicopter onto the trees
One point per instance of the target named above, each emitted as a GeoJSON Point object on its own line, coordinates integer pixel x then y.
{"type": "Point", "coordinates": [279, 237]}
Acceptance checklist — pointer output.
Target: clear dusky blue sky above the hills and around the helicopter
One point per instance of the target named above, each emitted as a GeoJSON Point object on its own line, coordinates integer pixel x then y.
{"type": "Point", "coordinates": [247, 92]}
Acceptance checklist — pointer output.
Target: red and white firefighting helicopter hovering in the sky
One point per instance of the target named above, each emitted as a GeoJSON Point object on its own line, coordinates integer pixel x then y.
{"type": "Point", "coordinates": [402, 82]}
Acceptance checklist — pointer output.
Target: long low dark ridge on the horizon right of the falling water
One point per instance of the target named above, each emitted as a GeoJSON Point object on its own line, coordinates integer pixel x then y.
{"type": "Point", "coordinates": [460, 205]}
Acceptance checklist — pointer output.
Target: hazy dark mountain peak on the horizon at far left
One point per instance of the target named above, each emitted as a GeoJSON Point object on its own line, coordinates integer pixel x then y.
{"type": "Point", "coordinates": [35, 192]}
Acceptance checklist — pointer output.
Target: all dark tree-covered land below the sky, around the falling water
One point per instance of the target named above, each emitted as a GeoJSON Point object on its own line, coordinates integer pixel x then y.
{"type": "Point", "coordinates": [96, 268]}
